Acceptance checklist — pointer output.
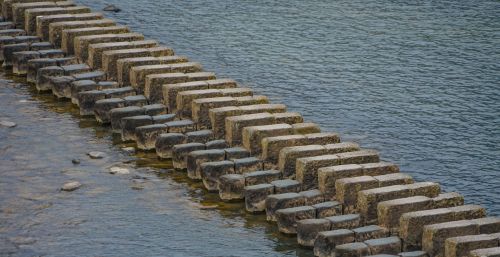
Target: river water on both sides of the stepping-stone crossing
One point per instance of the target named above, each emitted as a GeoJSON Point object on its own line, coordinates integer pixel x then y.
{"type": "Point", "coordinates": [418, 81]}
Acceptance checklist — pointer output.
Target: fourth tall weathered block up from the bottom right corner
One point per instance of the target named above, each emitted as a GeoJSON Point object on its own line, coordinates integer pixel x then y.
{"type": "Point", "coordinates": [411, 224]}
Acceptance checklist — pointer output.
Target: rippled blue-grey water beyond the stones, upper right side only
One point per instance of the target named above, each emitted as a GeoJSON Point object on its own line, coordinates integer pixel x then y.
{"type": "Point", "coordinates": [417, 80]}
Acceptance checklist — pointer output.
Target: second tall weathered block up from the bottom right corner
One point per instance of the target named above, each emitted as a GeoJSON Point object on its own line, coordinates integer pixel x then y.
{"type": "Point", "coordinates": [461, 246]}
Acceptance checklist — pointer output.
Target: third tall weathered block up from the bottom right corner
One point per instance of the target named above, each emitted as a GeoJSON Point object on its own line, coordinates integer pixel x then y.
{"type": "Point", "coordinates": [434, 236]}
